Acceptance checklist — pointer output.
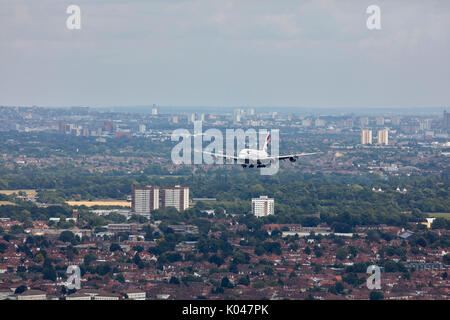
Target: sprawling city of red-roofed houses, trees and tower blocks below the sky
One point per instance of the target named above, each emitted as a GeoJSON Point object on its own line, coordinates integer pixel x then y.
{"type": "Point", "coordinates": [96, 188]}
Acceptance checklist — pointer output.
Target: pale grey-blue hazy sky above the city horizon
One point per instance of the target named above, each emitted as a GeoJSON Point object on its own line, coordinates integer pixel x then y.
{"type": "Point", "coordinates": [301, 53]}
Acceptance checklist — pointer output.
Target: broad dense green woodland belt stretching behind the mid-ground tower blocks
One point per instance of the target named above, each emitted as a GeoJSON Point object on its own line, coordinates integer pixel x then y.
{"type": "Point", "coordinates": [343, 201]}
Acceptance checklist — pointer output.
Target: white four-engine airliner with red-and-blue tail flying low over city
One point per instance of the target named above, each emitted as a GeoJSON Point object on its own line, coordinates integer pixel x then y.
{"type": "Point", "coordinates": [251, 157]}
